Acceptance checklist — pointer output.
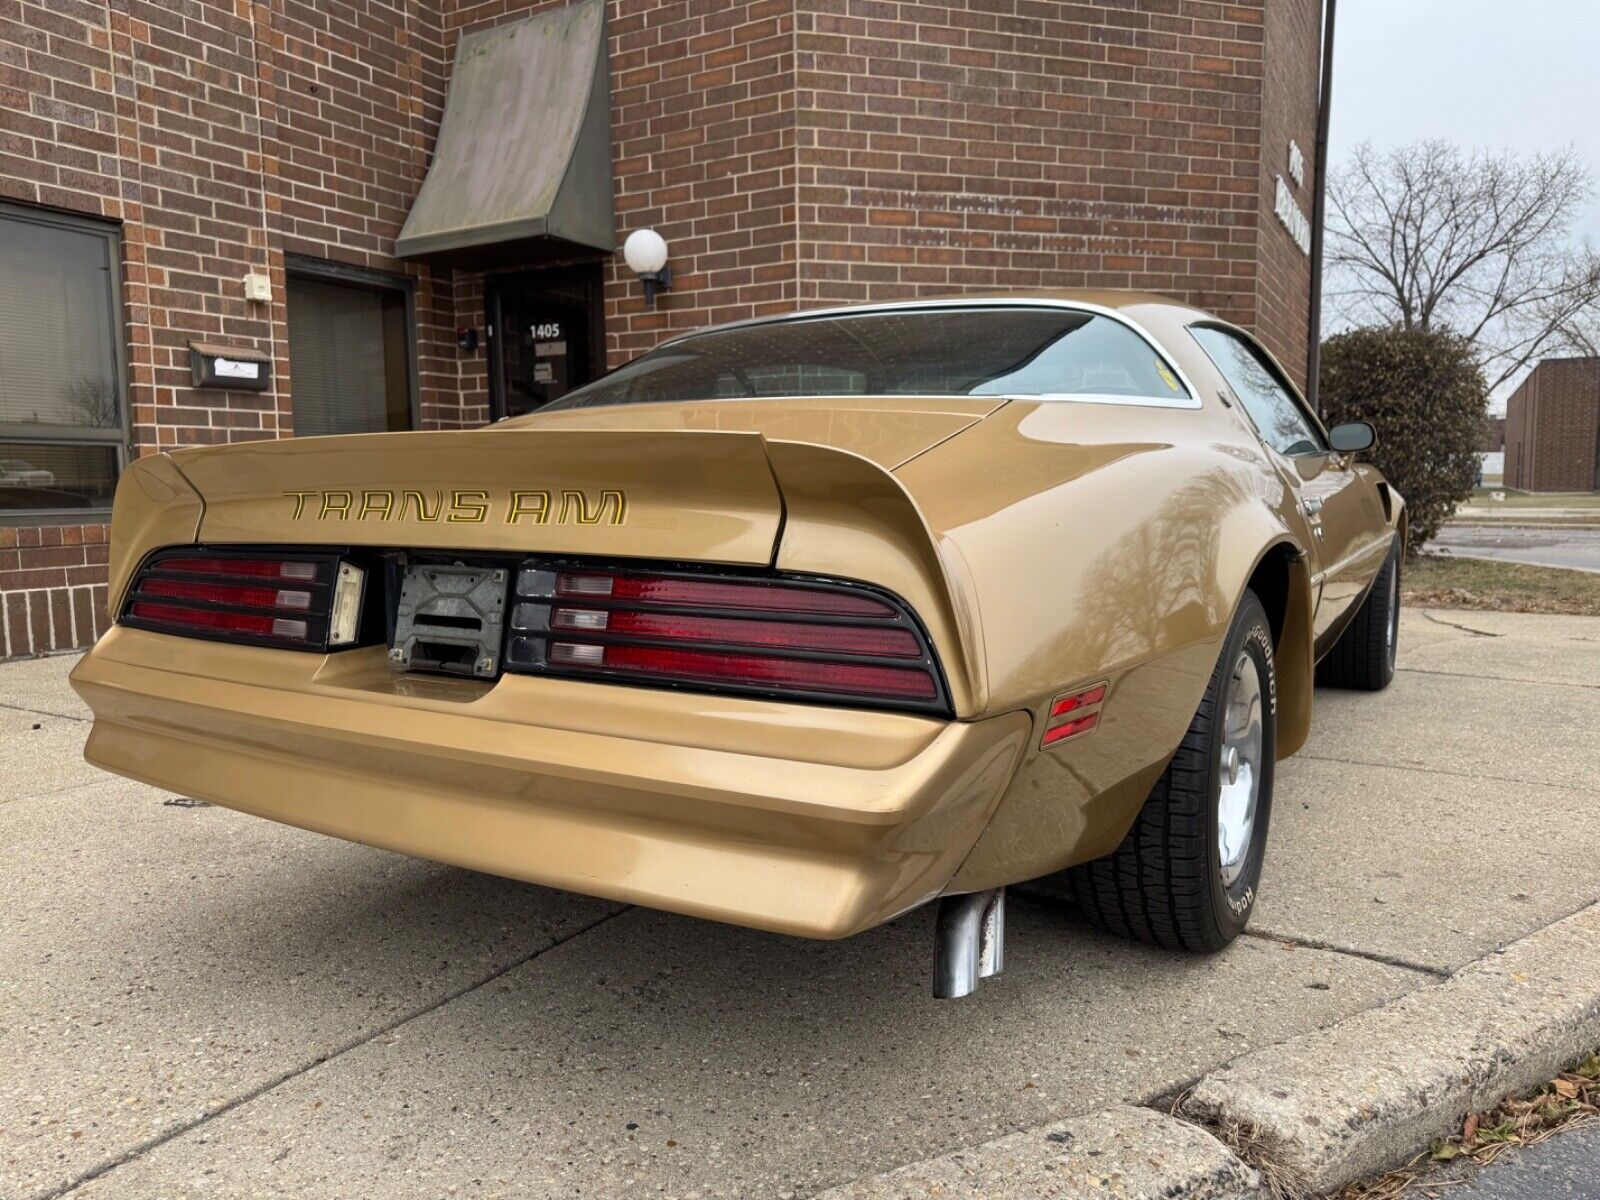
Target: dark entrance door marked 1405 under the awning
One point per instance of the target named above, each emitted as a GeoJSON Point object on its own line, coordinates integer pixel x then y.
{"type": "Point", "coordinates": [546, 337]}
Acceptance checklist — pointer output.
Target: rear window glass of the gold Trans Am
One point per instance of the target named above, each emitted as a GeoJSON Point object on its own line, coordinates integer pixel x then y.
{"type": "Point", "coordinates": [993, 351]}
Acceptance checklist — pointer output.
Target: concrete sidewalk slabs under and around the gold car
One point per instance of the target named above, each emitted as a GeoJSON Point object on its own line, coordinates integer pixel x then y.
{"type": "Point", "coordinates": [204, 1004]}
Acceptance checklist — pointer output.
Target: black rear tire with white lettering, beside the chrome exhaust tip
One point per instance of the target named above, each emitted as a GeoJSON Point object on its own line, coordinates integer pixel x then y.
{"type": "Point", "coordinates": [1166, 882]}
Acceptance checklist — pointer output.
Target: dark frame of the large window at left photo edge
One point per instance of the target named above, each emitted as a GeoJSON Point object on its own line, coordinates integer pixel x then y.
{"type": "Point", "coordinates": [119, 436]}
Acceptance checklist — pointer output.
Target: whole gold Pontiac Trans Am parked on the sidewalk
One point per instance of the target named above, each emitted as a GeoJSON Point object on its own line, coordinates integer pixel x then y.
{"type": "Point", "coordinates": [796, 623]}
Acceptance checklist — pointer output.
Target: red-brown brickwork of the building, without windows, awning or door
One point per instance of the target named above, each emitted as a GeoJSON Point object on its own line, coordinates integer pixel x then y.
{"type": "Point", "coordinates": [793, 153]}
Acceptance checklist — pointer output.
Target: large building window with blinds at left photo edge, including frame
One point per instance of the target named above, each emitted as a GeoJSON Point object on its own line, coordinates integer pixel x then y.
{"type": "Point", "coordinates": [62, 366]}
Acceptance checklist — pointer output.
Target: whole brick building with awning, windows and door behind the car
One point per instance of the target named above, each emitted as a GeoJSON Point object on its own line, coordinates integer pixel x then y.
{"type": "Point", "coordinates": [222, 193]}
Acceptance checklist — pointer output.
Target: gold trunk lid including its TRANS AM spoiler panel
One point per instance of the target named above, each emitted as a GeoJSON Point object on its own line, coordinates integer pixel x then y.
{"type": "Point", "coordinates": [686, 482]}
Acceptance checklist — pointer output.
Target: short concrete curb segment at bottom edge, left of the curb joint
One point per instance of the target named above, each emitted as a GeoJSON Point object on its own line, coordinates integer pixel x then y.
{"type": "Point", "coordinates": [1124, 1153]}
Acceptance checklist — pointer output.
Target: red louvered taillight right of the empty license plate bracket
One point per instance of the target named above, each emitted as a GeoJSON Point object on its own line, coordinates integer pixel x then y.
{"type": "Point", "coordinates": [764, 636]}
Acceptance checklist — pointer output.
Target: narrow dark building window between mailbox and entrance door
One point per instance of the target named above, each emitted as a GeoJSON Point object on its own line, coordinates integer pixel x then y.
{"type": "Point", "coordinates": [353, 364]}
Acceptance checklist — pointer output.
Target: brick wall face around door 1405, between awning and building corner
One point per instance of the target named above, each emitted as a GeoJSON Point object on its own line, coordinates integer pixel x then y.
{"type": "Point", "coordinates": [703, 116]}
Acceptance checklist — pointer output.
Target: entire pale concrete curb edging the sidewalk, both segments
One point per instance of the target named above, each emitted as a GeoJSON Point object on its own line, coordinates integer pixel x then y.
{"type": "Point", "coordinates": [1318, 1113]}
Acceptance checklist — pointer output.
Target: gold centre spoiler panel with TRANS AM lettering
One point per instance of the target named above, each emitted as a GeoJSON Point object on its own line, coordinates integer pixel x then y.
{"type": "Point", "coordinates": [705, 497]}
